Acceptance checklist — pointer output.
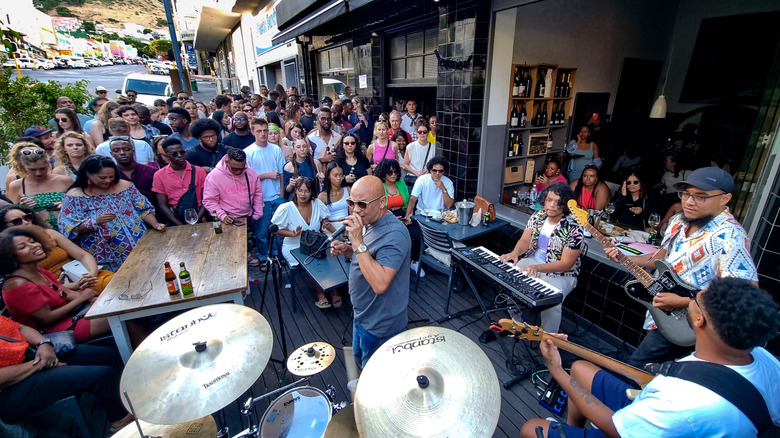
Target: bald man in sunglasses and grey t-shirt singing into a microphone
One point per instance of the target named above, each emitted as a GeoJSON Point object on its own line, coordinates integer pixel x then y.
{"type": "Point", "coordinates": [380, 249]}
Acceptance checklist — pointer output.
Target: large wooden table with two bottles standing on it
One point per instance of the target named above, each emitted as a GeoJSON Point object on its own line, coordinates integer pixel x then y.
{"type": "Point", "coordinates": [217, 265]}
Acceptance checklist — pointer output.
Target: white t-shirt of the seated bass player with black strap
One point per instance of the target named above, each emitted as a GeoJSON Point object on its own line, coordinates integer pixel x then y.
{"type": "Point", "coordinates": [672, 407]}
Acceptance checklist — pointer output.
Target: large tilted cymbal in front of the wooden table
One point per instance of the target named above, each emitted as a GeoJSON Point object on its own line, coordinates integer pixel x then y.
{"type": "Point", "coordinates": [171, 380]}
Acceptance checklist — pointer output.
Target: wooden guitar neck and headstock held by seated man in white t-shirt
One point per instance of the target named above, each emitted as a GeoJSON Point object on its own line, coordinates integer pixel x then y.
{"type": "Point", "coordinates": [522, 330]}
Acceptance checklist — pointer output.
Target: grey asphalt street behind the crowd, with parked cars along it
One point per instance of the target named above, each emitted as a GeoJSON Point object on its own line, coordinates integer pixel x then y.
{"type": "Point", "coordinates": [112, 77]}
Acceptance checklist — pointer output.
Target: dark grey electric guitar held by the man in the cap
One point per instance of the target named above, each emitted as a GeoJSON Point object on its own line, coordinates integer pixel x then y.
{"type": "Point", "coordinates": [673, 325]}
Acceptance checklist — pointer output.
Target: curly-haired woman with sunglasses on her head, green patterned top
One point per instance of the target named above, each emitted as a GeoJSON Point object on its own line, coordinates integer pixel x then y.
{"type": "Point", "coordinates": [37, 187]}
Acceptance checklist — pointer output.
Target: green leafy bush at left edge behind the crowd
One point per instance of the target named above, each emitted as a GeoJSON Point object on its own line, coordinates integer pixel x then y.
{"type": "Point", "coordinates": [25, 102]}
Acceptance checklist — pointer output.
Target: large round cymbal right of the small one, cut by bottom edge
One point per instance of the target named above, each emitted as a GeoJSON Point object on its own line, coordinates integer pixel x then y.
{"type": "Point", "coordinates": [428, 381]}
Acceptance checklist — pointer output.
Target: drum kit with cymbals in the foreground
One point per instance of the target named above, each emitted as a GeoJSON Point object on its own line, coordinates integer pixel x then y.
{"type": "Point", "coordinates": [427, 381]}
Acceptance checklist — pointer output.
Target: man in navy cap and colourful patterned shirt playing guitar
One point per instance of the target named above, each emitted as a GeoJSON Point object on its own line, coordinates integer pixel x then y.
{"type": "Point", "coordinates": [701, 243]}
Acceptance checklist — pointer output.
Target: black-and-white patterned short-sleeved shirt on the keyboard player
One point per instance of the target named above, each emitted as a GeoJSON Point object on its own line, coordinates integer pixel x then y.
{"type": "Point", "coordinates": [567, 234]}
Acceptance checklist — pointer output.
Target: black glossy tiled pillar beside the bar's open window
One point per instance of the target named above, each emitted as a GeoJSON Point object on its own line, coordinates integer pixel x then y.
{"type": "Point", "coordinates": [463, 36]}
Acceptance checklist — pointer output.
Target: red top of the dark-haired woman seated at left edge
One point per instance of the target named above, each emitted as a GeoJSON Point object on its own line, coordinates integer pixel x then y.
{"type": "Point", "coordinates": [30, 297]}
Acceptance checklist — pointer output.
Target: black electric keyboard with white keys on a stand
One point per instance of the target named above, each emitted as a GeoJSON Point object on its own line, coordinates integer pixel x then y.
{"type": "Point", "coordinates": [533, 292]}
